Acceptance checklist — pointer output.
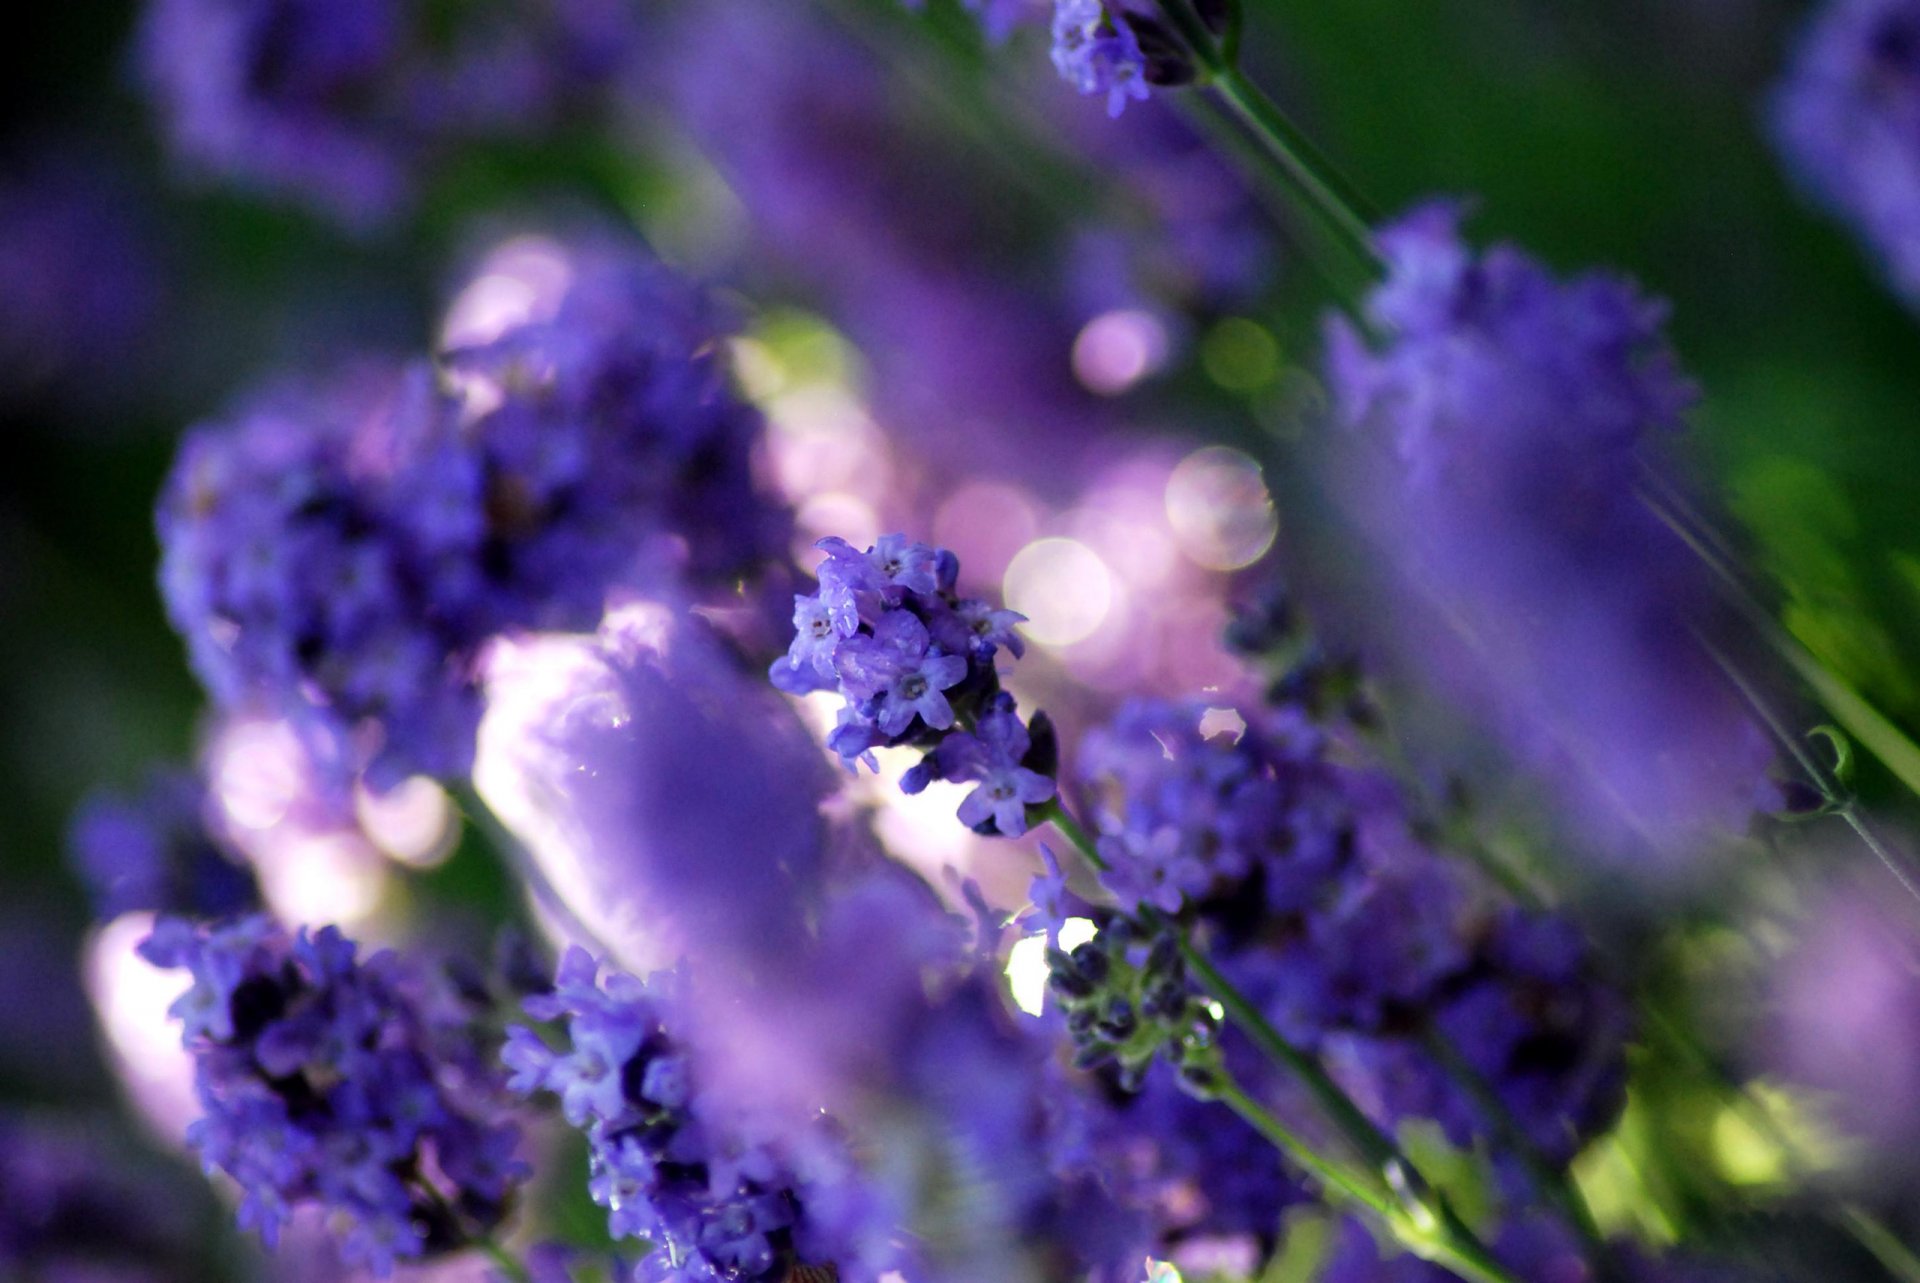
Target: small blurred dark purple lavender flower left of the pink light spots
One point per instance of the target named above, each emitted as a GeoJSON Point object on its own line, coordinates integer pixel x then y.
{"type": "Point", "coordinates": [156, 852]}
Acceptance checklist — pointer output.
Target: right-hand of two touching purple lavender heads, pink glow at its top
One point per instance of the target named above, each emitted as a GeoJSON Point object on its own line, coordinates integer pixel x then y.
{"type": "Point", "coordinates": [596, 441]}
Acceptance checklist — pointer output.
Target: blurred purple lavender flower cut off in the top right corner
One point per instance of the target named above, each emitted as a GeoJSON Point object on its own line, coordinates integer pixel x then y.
{"type": "Point", "coordinates": [1848, 122]}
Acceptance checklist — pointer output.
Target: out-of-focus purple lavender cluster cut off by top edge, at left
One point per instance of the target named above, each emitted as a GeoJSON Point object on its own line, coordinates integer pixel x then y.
{"type": "Point", "coordinates": [343, 105]}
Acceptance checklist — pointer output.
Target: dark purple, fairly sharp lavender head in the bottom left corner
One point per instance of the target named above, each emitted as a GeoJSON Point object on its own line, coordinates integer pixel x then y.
{"type": "Point", "coordinates": [345, 1084]}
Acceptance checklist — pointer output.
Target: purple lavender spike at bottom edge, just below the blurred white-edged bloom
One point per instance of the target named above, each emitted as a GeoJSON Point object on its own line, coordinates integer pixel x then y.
{"type": "Point", "coordinates": [665, 1161]}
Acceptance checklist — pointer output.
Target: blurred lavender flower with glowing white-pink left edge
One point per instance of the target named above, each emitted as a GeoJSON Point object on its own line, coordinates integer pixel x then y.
{"type": "Point", "coordinates": [669, 798]}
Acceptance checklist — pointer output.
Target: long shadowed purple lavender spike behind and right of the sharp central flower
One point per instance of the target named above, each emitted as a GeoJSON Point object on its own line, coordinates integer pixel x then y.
{"type": "Point", "coordinates": [1347, 931]}
